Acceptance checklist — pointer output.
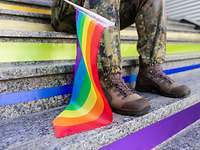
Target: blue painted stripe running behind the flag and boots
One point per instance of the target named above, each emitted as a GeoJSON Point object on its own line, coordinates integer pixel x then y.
{"type": "Point", "coordinates": [37, 94]}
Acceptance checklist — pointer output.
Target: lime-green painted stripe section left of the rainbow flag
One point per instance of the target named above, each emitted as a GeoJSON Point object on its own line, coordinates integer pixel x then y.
{"type": "Point", "coordinates": [15, 52]}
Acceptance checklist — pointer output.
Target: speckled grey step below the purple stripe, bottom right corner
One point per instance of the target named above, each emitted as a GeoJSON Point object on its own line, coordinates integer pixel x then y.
{"type": "Point", "coordinates": [187, 139]}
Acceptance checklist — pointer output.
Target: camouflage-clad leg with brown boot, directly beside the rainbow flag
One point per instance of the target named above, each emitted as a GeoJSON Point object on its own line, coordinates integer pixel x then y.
{"type": "Point", "coordinates": [122, 99]}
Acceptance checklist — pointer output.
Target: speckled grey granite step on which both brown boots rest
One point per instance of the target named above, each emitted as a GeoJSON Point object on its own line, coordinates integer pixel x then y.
{"type": "Point", "coordinates": [35, 131]}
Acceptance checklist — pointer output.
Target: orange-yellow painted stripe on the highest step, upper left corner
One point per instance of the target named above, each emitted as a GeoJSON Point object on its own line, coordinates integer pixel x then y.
{"type": "Point", "coordinates": [27, 9]}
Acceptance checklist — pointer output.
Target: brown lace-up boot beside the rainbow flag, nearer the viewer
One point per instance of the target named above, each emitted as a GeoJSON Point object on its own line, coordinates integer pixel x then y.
{"type": "Point", "coordinates": [122, 99]}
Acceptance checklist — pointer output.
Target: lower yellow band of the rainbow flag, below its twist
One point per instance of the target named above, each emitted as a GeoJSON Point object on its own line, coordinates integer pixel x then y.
{"type": "Point", "coordinates": [87, 107]}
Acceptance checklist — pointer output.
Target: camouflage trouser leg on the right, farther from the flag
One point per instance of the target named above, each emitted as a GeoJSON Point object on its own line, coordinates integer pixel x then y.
{"type": "Point", "coordinates": [151, 28]}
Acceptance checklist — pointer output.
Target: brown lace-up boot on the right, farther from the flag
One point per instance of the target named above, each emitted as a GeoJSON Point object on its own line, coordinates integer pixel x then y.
{"type": "Point", "coordinates": [152, 79]}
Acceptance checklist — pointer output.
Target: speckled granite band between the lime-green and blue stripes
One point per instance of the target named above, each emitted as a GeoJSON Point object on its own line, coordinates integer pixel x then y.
{"type": "Point", "coordinates": [34, 77]}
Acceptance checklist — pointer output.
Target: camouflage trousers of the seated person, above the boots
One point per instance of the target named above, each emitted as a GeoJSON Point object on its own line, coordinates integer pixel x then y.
{"type": "Point", "coordinates": [148, 15]}
